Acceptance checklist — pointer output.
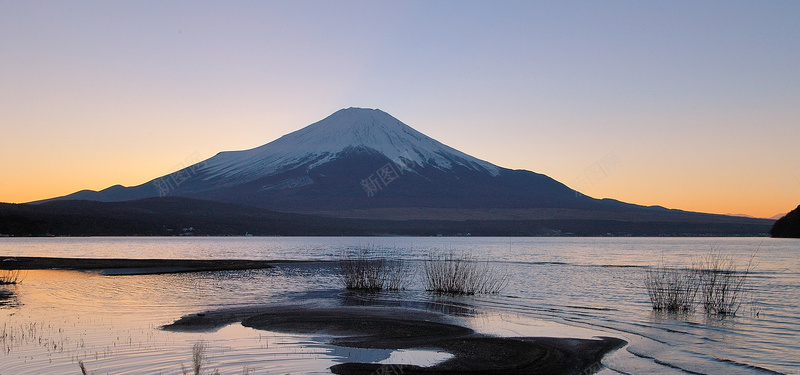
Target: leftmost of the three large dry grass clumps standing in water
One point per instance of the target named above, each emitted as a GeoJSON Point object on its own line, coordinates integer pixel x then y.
{"type": "Point", "coordinates": [365, 273]}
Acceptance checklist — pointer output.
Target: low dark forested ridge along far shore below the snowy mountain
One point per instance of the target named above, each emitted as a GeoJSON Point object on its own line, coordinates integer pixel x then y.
{"type": "Point", "coordinates": [174, 216]}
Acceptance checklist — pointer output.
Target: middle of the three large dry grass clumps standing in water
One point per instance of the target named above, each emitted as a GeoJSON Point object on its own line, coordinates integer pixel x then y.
{"type": "Point", "coordinates": [464, 275]}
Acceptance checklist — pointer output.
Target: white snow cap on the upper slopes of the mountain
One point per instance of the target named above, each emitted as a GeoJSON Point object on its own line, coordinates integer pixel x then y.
{"type": "Point", "coordinates": [345, 130]}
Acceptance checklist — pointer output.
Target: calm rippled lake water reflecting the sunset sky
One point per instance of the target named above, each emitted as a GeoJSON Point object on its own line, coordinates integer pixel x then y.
{"type": "Point", "coordinates": [575, 287]}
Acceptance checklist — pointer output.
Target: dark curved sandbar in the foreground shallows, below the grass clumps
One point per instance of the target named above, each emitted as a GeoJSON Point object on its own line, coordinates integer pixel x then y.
{"type": "Point", "coordinates": [402, 328]}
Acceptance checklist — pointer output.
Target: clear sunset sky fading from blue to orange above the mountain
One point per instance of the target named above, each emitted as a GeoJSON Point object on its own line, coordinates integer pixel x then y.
{"type": "Point", "coordinates": [691, 105]}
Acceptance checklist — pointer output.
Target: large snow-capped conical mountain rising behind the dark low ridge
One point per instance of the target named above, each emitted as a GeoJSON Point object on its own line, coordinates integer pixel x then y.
{"type": "Point", "coordinates": [365, 164]}
